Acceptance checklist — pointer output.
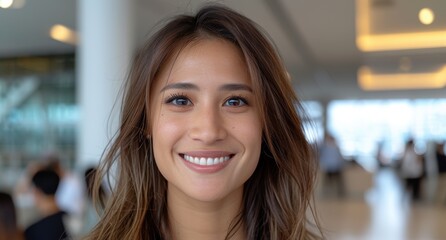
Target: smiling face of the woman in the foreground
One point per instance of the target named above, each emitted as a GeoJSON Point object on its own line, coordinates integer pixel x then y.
{"type": "Point", "coordinates": [206, 129]}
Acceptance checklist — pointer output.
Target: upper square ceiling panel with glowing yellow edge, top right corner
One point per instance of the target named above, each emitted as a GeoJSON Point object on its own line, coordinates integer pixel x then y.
{"type": "Point", "coordinates": [391, 25]}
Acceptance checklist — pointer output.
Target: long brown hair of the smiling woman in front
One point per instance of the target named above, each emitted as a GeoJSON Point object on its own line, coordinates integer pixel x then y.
{"type": "Point", "coordinates": [277, 195]}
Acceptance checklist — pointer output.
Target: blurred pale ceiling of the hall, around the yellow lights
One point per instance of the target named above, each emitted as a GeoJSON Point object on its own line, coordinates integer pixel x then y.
{"type": "Point", "coordinates": [316, 38]}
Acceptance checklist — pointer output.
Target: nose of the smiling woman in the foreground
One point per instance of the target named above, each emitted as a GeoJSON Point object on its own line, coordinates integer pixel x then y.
{"type": "Point", "coordinates": [207, 125]}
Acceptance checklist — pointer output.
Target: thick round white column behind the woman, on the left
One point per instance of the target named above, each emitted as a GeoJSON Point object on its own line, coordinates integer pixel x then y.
{"type": "Point", "coordinates": [106, 43]}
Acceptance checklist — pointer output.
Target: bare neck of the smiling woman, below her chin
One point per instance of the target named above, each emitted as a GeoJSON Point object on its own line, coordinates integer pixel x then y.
{"type": "Point", "coordinates": [192, 219]}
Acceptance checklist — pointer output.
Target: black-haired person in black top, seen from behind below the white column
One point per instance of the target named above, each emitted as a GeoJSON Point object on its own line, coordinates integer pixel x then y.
{"type": "Point", "coordinates": [51, 226]}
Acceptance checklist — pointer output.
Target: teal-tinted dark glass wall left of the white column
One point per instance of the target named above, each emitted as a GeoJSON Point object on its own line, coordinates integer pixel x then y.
{"type": "Point", "coordinates": [38, 111]}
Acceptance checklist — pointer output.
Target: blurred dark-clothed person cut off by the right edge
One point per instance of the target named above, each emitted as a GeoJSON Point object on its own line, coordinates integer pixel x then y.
{"type": "Point", "coordinates": [440, 158]}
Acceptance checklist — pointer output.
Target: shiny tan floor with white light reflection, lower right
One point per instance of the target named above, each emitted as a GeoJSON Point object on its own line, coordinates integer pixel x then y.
{"type": "Point", "coordinates": [384, 212]}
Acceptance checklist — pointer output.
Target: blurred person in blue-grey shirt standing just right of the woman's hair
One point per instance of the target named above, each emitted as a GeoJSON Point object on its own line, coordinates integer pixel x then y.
{"type": "Point", "coordinates": [332, 165]}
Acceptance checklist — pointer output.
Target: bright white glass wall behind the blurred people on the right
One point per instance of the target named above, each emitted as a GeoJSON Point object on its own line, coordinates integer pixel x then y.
{"type": "Point", "coordinates": [362, 127]}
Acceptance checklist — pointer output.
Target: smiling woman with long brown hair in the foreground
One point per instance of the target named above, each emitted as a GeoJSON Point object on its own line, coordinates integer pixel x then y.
{"type": "Point", "coordinates": [210, 145]}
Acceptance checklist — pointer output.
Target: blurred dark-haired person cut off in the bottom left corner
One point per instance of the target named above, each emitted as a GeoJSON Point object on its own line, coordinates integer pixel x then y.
{"type": "Point", "coordinates": [9, 229]}
